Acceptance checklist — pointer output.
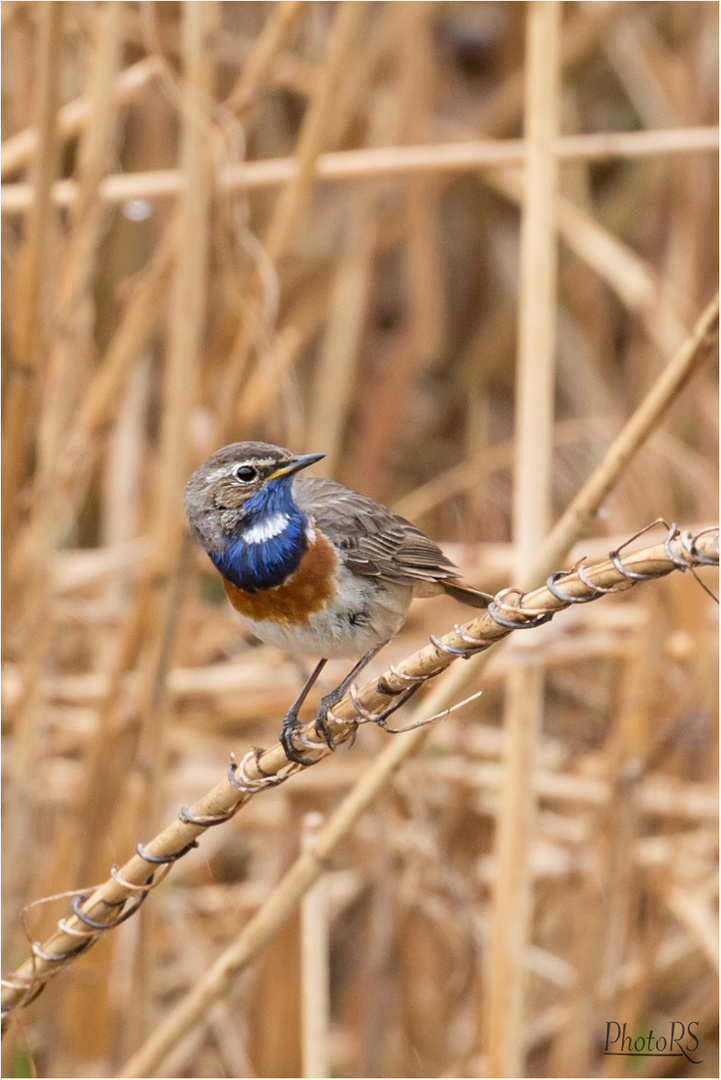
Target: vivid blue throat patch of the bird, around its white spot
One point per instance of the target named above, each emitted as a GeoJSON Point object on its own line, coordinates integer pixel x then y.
{"type": "Point", "coordinates": [267, 563]}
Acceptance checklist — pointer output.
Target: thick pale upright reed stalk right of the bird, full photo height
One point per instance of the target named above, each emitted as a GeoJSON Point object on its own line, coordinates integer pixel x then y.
{"type": "Point", "coordinates": [505, 1010]}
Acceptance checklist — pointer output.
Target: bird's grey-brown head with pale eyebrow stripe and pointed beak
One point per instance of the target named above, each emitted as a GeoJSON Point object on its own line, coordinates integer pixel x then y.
{"type": "Point", "coordinates": [235, 483]}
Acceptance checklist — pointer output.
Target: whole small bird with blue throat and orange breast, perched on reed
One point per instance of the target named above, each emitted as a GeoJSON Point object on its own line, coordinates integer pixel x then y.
{"type": "Point", "coordinates": [310, 565]}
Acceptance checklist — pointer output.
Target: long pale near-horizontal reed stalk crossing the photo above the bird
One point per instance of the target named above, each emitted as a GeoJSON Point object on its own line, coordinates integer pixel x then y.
{"type": "Point", "coordinates": [374, 164]}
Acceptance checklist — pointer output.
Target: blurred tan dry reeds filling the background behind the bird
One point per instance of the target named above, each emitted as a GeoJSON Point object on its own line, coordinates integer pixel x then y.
{"type": "Point", "coordinates": [357, 290]}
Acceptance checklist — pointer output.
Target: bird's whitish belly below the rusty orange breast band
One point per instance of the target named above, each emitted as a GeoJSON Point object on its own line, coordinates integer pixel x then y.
{"type": "Point", "coordinates": [363, 614]}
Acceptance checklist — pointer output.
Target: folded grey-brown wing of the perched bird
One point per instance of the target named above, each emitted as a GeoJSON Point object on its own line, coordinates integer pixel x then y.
{"type": "Point", "coordinates": [373, 542]}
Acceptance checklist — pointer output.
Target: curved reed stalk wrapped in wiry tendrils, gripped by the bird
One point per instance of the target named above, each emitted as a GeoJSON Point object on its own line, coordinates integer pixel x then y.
{"type": "Point", "coordinates": [260, 771]}
